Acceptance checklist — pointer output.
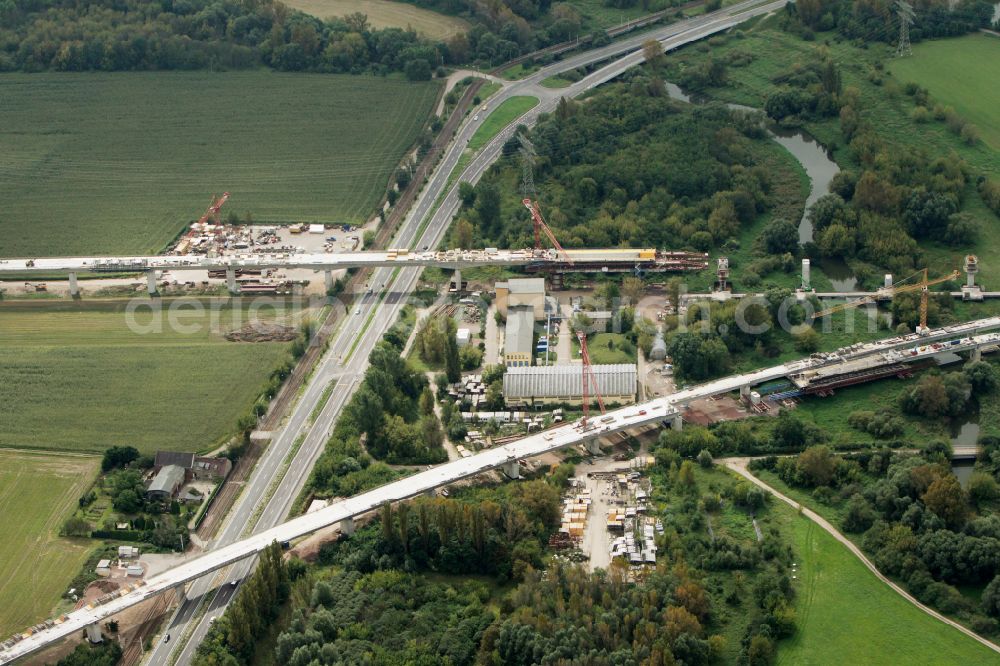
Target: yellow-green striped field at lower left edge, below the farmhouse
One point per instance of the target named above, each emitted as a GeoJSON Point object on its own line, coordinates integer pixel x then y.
{"type": "Point", "coordinates": [37, 492]}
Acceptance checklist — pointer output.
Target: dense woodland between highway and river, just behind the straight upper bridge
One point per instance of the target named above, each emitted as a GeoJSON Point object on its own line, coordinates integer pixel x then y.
{"type": "Point", "coordinates": [630, 168]}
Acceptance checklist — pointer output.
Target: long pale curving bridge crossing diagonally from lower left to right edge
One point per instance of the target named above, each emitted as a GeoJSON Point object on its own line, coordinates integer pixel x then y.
{"type": "Point", "coordinates": [969, 337]}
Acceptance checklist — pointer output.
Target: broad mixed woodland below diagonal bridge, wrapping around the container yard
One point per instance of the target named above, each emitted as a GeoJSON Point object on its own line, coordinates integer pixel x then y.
{"type": "Point", "coordinates": [471, 579]}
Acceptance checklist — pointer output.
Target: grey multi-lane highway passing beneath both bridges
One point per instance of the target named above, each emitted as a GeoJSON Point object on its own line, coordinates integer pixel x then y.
{"type": "Point", "coordinates": [348, 367]}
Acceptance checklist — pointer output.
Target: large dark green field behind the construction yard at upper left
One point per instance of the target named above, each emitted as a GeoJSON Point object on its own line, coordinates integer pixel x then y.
{"type": "Point", "coordinates": [120, 162]}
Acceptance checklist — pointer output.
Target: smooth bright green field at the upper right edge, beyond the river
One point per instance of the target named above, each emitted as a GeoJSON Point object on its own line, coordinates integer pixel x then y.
{"type": "Point", "coordinates": [963, 73]}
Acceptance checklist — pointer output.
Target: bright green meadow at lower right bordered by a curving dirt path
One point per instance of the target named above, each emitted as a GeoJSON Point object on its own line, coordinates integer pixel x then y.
{"type": "Point", "coordinates": [847, 616]}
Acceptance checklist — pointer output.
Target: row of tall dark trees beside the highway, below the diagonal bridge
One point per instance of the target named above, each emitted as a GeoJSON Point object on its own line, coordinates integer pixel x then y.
{"type": "Point", "coordinates": [232, 637]}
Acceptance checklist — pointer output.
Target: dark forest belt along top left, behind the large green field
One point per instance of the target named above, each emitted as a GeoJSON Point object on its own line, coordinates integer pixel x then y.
{"type": "Point", "coordinates": [194, 34]}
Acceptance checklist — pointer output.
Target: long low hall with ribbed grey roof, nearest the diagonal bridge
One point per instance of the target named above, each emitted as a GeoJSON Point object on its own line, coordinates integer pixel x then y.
{"type": "Point", "coordinates": [564, 384]}
